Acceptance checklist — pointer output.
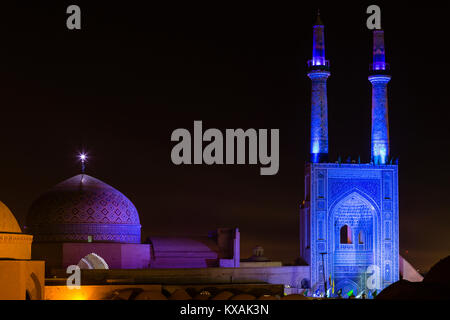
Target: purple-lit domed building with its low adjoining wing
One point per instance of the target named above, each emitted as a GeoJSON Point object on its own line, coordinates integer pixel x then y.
{"type": "Point", "coordinates": [86, 222]}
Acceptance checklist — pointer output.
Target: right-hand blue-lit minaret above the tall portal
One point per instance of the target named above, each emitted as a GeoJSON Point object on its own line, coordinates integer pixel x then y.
{"type": "Point", "coordinates": [379, 77]}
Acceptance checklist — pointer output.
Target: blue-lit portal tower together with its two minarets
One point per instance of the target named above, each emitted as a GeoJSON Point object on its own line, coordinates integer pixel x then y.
{"type": "Point", "coordinates": [349, 218]}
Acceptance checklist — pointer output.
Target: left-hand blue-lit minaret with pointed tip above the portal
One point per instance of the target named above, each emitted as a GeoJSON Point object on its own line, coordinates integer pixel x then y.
{"type": "Point", "coordinates": [318, 72]}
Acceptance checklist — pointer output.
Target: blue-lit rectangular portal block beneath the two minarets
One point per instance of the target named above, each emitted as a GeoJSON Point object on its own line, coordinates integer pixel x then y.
{"type": "Point", "coordinates": [364, 198]}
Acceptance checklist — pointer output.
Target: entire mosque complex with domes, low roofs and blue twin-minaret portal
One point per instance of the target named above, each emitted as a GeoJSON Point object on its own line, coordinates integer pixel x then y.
{"type": "Point", "coordinates": [349, 222]}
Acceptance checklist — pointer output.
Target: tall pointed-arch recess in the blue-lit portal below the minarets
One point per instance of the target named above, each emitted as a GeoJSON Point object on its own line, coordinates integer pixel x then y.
{"type": "Point", "coordinates": [353, 233]}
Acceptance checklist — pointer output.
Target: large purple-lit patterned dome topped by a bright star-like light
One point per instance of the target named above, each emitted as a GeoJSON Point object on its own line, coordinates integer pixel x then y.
{"type": "Point", "coordinates": [83, 208]}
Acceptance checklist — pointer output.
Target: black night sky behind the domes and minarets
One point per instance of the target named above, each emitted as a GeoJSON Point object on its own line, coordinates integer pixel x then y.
{"type": "Point", "coordinates": [133, 74]}
